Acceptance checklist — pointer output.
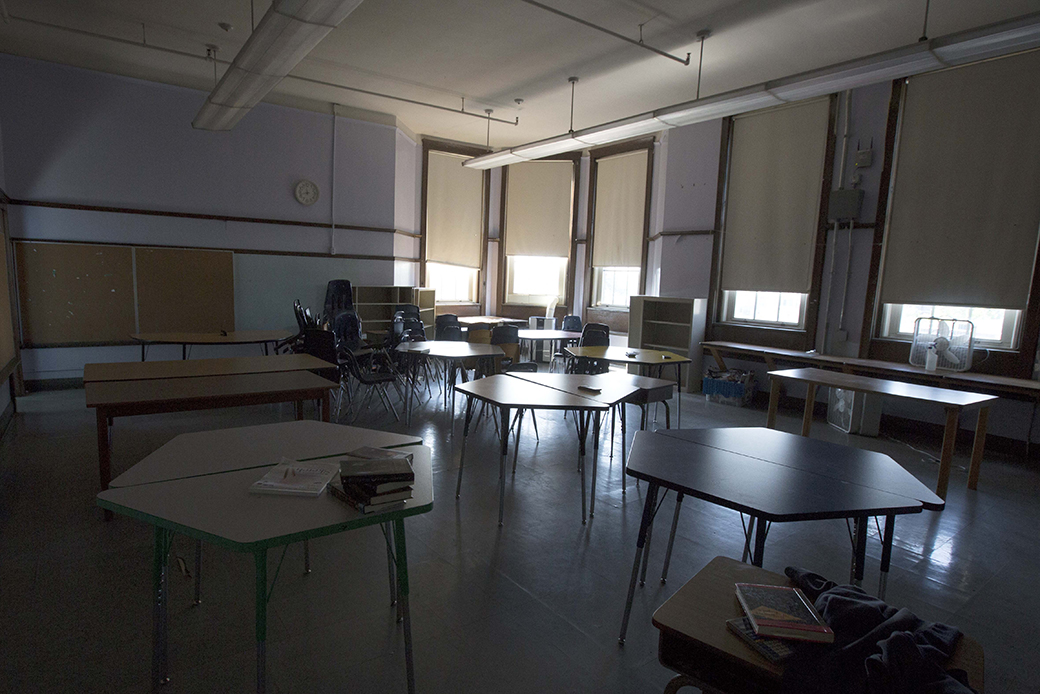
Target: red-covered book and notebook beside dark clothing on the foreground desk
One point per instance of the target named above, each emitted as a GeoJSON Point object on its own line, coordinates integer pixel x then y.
{"type": "Point", "coordinates": [775, 615]}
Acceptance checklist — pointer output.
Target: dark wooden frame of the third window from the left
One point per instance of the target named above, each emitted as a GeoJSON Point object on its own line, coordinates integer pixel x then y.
{"type": "Point", "coordinates": [616, 318]}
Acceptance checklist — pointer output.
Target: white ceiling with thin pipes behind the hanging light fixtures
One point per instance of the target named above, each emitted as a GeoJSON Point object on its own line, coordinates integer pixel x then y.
{"type": "Point", "coordinates": [491, 53]}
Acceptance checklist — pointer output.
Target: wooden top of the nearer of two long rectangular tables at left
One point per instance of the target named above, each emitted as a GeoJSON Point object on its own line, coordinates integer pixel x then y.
{"type": "Point", "coordinates": [205, 390]}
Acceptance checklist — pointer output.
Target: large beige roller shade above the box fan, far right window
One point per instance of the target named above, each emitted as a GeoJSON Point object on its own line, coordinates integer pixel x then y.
{"type": "Point", "coordinates": [966, 208]}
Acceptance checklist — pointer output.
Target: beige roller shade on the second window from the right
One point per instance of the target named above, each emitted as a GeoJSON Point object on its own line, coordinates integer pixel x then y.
{"type": "Point", "coordinates": [776, 173]}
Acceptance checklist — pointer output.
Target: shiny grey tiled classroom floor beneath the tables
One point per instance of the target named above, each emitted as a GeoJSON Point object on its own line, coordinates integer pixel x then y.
{"type": "Point", "coordinates": [532, 607]}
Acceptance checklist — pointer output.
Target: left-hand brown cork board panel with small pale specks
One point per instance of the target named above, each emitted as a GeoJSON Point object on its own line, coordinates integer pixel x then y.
{"type": "Point", "coordinates": [74, 294]}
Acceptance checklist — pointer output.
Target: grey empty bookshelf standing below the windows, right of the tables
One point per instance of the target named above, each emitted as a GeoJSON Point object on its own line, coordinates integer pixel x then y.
{"type": "Point", "coordinates": [675, 325]}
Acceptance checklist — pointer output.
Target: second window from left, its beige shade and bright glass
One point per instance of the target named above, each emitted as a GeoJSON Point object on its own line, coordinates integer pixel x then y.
{"type": "Point", "coordinates": [539, 214]}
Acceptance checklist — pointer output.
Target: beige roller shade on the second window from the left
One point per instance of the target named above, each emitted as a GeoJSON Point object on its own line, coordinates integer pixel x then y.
{"type": "Point", "coordinates": [539, 198]}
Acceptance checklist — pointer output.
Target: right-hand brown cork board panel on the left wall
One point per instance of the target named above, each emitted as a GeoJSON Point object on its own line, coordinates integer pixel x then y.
{"type": "Point", "coordinates": [186, 291]}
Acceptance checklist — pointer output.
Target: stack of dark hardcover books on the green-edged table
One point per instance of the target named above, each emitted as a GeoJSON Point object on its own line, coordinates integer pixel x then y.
{"type": "Point", "coordinates": [374, 480]}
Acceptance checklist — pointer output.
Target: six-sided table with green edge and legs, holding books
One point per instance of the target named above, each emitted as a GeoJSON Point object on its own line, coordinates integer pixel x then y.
{"type": "Point", "coordinates": [217, 507]}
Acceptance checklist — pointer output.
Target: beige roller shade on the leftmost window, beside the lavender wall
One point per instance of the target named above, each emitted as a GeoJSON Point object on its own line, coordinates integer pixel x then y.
{"type": "Point", "coordinates": [455, 210]}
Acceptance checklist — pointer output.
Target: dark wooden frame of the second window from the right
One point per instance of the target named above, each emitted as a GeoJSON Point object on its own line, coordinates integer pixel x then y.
{"type": "Point", "coordinates": [803, 339]}
